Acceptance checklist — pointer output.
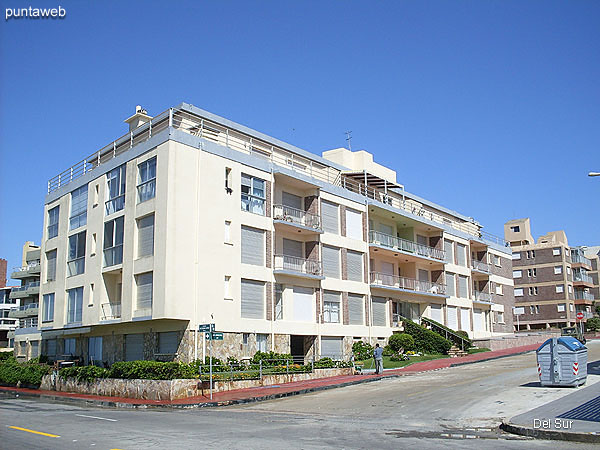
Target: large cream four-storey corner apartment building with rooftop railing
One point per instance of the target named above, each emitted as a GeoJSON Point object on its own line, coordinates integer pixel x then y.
{"type": "Point", "coordinates": [191, 218]}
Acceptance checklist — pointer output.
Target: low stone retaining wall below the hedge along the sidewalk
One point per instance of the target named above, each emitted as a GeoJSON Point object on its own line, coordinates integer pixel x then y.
{"type": "Point", "coordinates": [173, 389]}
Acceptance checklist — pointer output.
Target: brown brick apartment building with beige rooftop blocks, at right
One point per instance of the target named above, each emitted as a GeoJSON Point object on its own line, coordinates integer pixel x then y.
{"type": "Point", "coordinates": [552, 280]}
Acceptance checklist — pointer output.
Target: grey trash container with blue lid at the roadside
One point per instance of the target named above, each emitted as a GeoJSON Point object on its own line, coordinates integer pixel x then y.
{"type": "Point", "coordinates": [562, 362]}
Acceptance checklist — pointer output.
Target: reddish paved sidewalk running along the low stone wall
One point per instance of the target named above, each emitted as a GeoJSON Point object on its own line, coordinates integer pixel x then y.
{"type": "Point", "coordinates": [265, 392]}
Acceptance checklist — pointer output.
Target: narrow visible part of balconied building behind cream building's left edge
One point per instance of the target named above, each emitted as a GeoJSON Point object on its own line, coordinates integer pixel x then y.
{"type": "Point", "coordinates": [27, 337]}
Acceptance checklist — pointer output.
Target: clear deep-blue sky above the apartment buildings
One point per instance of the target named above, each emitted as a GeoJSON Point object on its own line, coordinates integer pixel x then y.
{"type": "Point", "coordinates": [491, 108]}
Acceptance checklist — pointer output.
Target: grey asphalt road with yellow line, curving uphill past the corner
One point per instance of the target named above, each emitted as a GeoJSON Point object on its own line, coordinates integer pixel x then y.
{"type": "Point", "coordinates": [460, 407]}
